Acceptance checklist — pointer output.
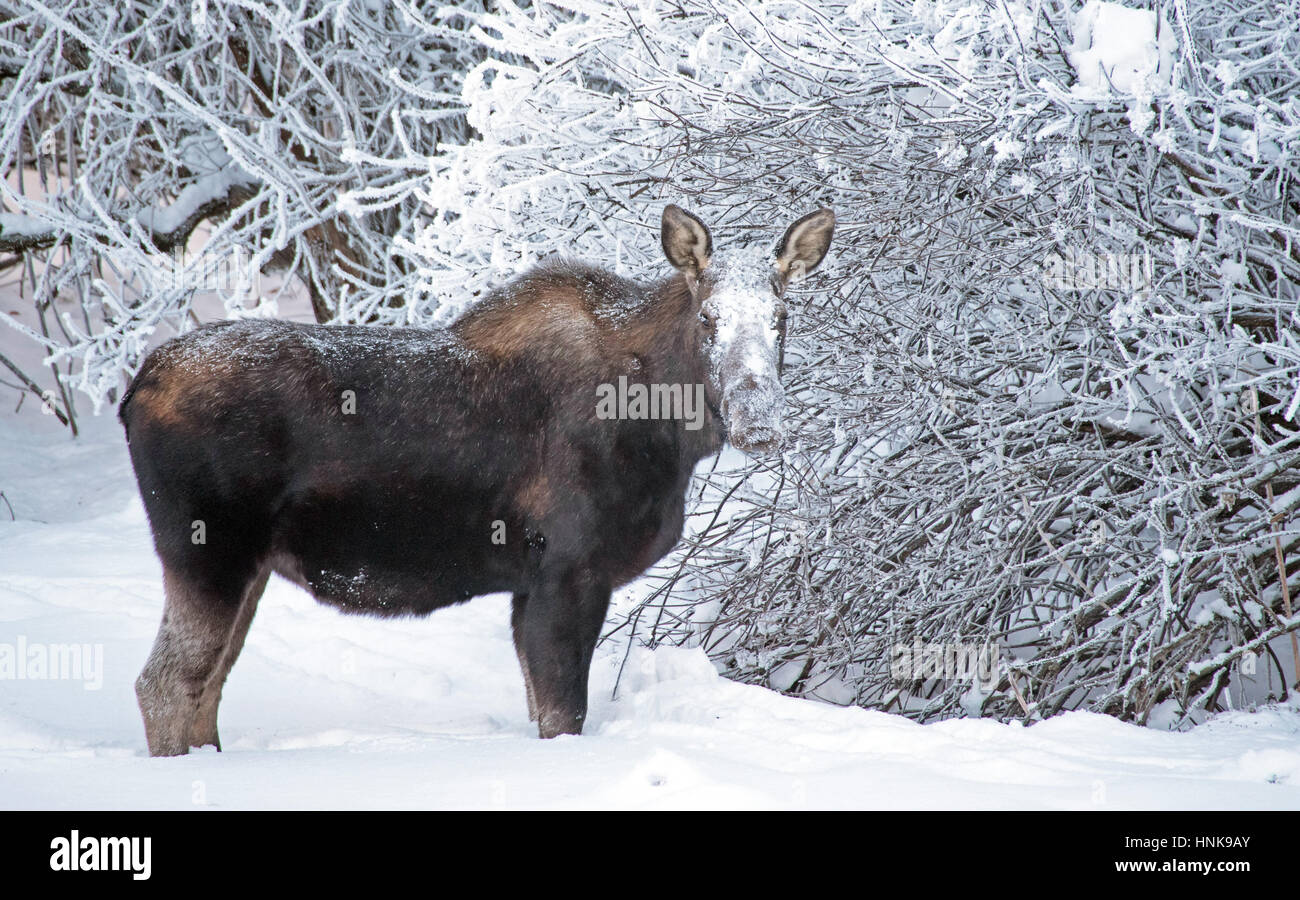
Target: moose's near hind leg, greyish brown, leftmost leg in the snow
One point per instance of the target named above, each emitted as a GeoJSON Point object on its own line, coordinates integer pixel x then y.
{"type": "Point", "coordinates": [198, 624]}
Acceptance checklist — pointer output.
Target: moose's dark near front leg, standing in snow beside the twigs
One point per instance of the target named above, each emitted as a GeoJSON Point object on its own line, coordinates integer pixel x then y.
{"type": "Point", "coordinates": [561, 625]}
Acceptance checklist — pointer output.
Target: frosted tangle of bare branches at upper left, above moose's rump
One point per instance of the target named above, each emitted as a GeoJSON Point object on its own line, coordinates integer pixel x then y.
{"type": "Point", "coordinates": [125, 127]}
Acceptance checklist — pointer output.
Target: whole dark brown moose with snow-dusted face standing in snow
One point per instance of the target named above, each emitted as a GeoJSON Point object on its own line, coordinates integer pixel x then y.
{"type": "Point", "coordinates": [393, 471]}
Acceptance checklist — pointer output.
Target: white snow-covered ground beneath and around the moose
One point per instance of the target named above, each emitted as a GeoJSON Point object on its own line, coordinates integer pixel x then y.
{"type": "Point", "coordinates": [327, 711]}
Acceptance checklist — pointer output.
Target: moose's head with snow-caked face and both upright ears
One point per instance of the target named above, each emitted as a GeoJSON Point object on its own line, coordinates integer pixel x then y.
{"type": "Point", "coordinates": [743, 317]}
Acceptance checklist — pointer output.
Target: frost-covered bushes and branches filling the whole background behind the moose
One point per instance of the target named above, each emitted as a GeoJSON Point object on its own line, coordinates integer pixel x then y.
{"type": "Point", "coordinates": [1043, 396]}
